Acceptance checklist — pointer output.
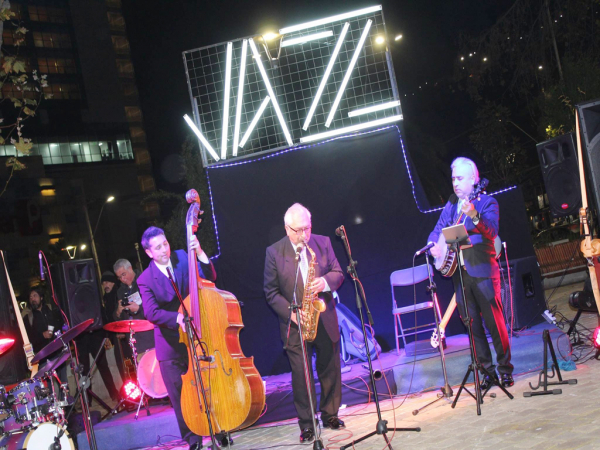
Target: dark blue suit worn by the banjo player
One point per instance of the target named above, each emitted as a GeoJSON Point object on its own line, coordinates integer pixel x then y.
{"type": "Point", "coordinates": [481, 279]}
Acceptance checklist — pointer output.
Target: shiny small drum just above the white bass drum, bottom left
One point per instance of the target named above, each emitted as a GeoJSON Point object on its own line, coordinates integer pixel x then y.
{"type": "Point", "coordinates": [29, 404]}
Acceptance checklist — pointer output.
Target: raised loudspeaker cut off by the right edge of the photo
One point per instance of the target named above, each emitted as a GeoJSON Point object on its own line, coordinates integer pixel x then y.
{"type": "Point", "coordinates": [589, 118]}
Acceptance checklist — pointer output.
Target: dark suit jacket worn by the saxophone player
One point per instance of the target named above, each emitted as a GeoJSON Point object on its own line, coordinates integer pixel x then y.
{"type": "Point", "coordinates": [280, 271]}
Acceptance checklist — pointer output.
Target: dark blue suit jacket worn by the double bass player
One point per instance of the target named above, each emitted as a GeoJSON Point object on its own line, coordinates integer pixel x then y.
{"type": "Point", "coordinates": [161, 304]}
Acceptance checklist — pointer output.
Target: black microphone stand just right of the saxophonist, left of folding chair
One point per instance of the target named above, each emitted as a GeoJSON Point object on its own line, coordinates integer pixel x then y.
{"type": "Point", "coordinates": [381, 428]}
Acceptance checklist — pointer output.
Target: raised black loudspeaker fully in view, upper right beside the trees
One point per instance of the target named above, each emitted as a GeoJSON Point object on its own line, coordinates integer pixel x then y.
{"type": "Point", "coordinates": [558, 160]}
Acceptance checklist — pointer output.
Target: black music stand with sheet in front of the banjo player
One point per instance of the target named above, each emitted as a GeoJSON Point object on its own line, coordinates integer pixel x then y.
{"type": "Point", "coordinates": [456, 236]}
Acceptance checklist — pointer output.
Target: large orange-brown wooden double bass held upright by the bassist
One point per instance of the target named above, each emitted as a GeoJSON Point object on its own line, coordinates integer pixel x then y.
{"type": "Point", "coordinates": [233, 388]}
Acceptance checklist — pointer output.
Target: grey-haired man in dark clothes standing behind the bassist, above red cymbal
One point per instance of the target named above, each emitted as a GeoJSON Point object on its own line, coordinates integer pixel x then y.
{"type": "Point", "coordinates": [129, 303]}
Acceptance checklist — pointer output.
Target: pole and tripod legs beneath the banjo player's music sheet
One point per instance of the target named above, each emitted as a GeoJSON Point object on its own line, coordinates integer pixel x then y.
{"type": "Point", "coordinates": [474, 367]}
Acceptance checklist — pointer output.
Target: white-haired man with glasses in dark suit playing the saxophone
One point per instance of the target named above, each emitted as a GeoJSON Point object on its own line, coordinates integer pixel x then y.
{"type": "Point", "coordinates": [279, 281]}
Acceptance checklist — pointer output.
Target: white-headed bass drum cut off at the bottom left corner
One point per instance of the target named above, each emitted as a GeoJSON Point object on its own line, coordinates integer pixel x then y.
{"type": "Point", "coordinates": [41, 437]}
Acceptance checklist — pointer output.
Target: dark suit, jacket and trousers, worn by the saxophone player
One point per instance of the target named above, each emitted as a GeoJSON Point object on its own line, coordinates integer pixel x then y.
{"type": "Point", "coordinates": [279, 277]}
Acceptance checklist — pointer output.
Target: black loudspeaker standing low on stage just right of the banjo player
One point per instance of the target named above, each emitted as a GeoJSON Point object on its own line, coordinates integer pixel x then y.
{"type": "Point", "coordinates": [528, 301]}
